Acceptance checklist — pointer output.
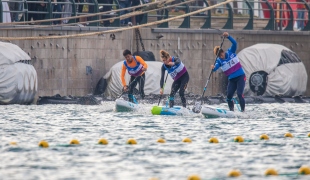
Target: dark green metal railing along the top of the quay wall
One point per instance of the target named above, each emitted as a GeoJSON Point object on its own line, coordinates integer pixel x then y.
{"type": "Point", "coordinates": [278, 15]}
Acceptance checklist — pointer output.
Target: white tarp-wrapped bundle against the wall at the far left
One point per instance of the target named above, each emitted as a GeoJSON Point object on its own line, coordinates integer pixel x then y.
{"type": "Point", "coordinates": [18, 81]}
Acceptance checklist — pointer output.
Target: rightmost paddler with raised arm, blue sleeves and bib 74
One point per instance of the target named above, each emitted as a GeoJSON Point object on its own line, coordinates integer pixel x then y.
{"type": "Point", "coordinates": [231, 66]}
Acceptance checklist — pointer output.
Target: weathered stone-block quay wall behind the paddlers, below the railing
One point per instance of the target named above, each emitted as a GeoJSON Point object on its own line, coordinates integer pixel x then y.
{"type": "Point", "coordinates": [61, 63]}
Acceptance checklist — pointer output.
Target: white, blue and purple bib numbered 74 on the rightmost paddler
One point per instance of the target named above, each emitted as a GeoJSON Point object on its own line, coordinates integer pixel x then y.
{"type": "Point", "coordinates": [231, 65]}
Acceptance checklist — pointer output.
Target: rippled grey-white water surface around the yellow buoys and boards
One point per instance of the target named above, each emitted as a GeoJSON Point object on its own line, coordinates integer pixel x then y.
{"type": "Point", "coordinates": [58, 124]}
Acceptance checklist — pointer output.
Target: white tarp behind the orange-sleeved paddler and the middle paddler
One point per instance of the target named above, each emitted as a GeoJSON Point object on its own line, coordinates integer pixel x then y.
{"type": "Point", "coordinates": [152, 80]}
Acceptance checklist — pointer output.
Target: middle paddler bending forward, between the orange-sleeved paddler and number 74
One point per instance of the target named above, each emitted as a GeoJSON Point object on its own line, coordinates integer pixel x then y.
{"type": "Point", "coordinates": [178, 73]}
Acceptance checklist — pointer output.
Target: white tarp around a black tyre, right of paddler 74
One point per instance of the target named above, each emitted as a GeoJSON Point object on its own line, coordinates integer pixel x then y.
{"type": "Point", "coordinates": [287, 75]}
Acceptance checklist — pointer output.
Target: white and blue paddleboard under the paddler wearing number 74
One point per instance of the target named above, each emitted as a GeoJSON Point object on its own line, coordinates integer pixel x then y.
{"type": "Point", "coordinates": [210, 112]}
